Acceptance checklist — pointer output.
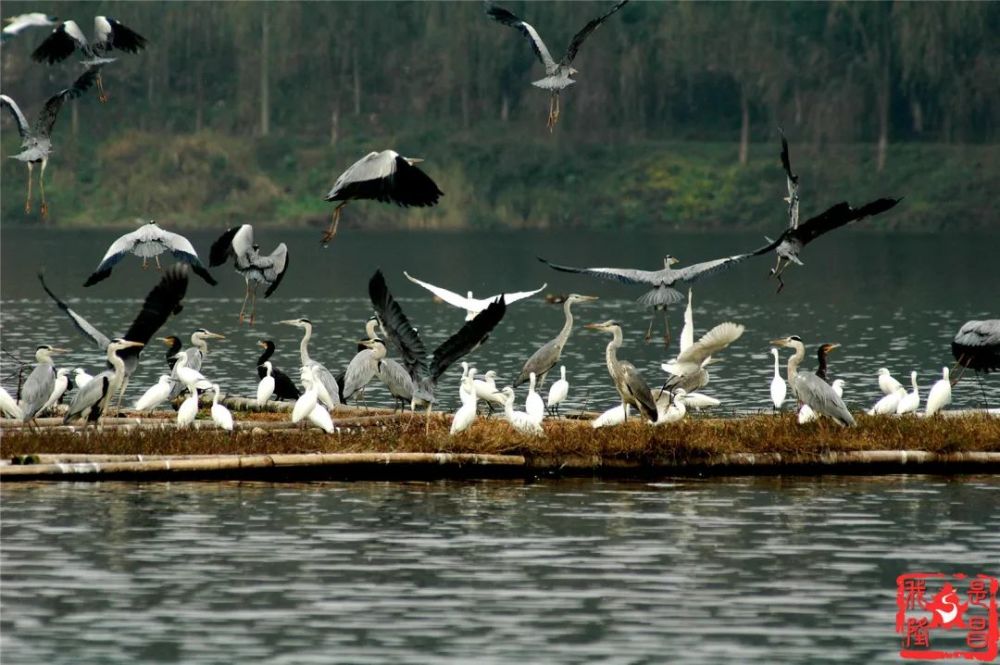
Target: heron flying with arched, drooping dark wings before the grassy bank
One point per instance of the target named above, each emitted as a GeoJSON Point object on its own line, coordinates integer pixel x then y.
{"type": "Point", "coordinates": [384, 176]}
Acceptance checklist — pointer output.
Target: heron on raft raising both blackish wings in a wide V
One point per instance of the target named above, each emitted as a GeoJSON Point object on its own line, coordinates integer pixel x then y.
{"type": "Point", "coordinates": [404, 337]}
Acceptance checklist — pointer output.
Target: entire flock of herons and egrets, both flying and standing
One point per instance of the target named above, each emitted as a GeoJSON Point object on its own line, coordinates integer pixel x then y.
{"type": "Point", "coordinates": [392, 351]}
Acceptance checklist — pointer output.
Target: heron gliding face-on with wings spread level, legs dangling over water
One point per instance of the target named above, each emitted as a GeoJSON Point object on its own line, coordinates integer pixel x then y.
{"type": "Point", "coordinates": [662, 294]}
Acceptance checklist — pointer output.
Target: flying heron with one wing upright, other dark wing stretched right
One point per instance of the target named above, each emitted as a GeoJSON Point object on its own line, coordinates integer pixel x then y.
{"type": "Point", "coordinates": [796, 236]}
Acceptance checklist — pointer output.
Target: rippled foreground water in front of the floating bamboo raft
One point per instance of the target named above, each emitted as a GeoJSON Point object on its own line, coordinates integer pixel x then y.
{"type": "Point", "coordinates": [772, 570]}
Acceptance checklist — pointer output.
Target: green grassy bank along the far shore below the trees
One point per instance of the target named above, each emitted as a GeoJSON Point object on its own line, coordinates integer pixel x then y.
{"type": "Point", "coordinates": [214, 180]}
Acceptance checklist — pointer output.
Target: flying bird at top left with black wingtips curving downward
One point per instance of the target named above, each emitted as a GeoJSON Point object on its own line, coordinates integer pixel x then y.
{"type": "Point", "coordinates": [109, 35]}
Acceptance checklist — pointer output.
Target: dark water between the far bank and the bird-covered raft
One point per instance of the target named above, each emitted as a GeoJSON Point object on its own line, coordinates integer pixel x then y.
{"type": "Point", "coordinates": [892, 301]}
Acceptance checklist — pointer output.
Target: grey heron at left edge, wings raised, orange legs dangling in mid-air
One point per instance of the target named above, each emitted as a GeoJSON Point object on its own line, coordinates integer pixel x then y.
{"type": "Point", "coordinates": [36, 140]}
